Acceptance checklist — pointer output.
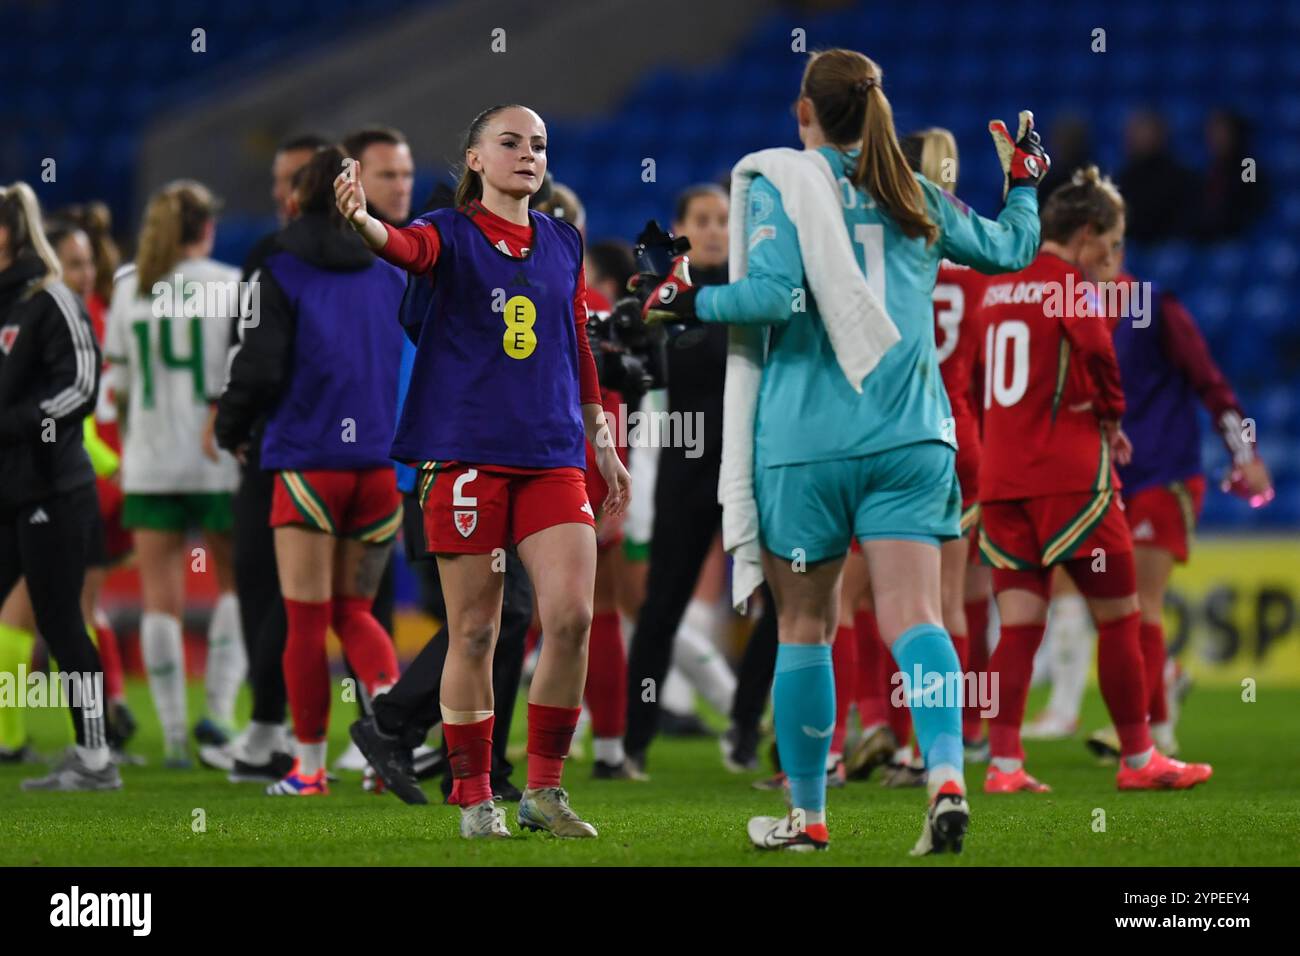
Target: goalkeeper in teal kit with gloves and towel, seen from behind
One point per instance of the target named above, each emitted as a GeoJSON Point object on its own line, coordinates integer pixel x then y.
{"type": "Point", "coordinates": [833, 462]}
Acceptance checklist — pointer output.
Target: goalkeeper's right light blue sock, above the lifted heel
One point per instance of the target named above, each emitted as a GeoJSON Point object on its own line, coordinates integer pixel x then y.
{"type": "Point", "coordinates": [937, 716]}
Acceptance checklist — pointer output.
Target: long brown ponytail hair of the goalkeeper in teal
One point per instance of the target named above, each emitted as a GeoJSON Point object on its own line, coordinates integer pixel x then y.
{"type": "Point", "coordinates": [844, 88]}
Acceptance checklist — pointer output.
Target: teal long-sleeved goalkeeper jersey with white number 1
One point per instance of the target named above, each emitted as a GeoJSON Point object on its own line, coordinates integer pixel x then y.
{"type": "Point", "coordinates": [807, 409]}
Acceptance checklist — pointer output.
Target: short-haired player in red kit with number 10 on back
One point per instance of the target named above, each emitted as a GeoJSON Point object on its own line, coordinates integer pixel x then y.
{"type": "Point", "coordinates": [1048, 487]}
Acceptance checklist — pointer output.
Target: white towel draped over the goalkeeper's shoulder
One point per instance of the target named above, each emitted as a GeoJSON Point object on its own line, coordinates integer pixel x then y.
{"type": "Point", "coordinates": [860, 330]}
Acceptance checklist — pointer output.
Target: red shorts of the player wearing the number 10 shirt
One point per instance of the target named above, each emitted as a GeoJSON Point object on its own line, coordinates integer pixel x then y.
{"type": "Point", "coordinates": [1039, 533]}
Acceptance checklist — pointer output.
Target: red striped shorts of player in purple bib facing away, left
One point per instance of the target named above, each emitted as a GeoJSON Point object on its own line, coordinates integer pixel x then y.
{"type": "Point", "coordinates": [365, 505]}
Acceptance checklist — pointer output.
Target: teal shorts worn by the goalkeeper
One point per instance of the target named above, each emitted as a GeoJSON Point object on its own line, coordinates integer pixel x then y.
{"type": "Point", "coordinates": [813, 511]}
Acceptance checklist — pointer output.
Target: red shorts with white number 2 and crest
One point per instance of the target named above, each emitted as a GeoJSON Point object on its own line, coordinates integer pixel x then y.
{"type": "Point", "coordinates": [476, 511]}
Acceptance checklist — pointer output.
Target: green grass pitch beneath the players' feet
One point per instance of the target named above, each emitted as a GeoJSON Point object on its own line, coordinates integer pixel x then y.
{"type": "Point", "coordinates": [692, 814]}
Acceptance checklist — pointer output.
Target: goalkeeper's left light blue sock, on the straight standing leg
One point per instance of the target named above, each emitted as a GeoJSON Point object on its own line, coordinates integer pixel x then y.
{"type": "Point", "coordinates": [804, 703]}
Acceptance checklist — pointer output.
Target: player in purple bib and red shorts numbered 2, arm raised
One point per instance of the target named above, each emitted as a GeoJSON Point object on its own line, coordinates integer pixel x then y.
{"type": "Point", "coordinates": [504, 397]}
